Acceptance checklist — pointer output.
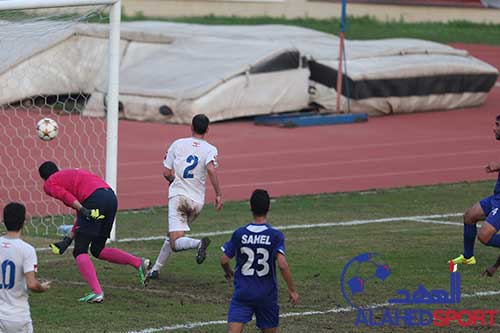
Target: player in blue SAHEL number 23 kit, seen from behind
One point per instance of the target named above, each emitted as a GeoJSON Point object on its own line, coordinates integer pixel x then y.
{"type": "Point", "coordinates": [256, 246]}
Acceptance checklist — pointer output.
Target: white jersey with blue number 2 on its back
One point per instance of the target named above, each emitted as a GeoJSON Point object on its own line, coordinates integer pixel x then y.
{"type": "Point", "coordinates": [189, 157]}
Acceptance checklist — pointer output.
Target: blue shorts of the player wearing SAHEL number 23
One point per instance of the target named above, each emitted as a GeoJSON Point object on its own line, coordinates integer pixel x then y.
{"type": "Point", "coordinates": [266, 313]}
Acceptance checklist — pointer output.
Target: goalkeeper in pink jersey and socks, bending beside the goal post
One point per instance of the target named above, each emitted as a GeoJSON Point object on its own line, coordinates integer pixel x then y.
{"type": "Point", "coordinates": [96, 206]}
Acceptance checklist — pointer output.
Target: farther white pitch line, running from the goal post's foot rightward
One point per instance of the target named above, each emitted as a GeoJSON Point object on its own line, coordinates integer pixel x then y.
{"type": "Point", "coordinates": [418, 218]}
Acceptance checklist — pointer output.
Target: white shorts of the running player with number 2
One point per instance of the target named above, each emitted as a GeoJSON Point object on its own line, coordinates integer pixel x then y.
{"type": "Point", "coordinates": [182, 211]}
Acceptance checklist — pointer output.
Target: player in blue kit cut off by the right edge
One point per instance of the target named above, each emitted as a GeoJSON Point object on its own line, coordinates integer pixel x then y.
{"type": "Point", "coordinates": [485, 210]}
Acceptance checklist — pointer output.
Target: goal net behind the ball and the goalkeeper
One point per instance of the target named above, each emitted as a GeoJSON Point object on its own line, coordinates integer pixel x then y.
{"type": "Point", "coordinates": [49, 66]}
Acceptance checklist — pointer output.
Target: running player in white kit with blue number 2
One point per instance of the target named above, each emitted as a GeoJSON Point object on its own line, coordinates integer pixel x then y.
{"type": "Point", "coordinates": [187, 163]}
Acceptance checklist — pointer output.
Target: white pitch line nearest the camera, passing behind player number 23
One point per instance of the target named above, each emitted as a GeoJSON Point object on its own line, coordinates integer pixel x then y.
{"type": "Point", "coordinates": [295, 314]}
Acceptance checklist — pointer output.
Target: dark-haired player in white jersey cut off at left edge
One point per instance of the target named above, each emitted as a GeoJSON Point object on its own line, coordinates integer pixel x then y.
{"type": "Point", "coordinates": [18, 265]}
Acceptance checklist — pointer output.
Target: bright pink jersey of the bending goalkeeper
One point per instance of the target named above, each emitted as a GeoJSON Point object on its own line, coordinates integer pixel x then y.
{"type": "Point", "coordinates": [73, 184]}
